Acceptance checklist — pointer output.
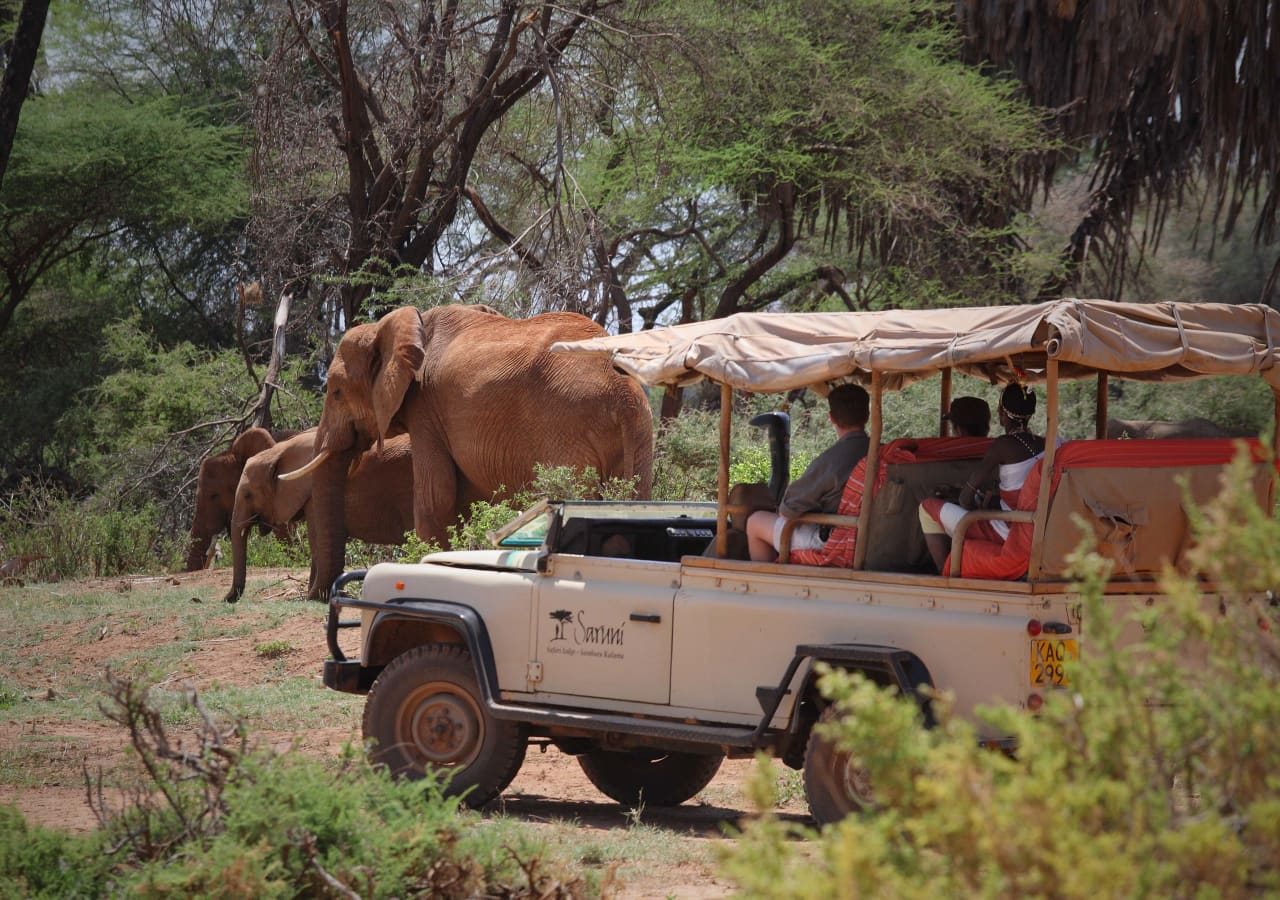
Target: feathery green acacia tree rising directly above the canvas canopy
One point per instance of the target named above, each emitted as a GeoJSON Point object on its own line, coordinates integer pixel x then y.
{"type": "Point", "coordinates": [802, 152]}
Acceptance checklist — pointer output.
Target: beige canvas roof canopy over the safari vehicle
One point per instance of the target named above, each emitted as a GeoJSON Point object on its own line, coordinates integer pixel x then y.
{"type": "Point", "coordinates": [772, 353]}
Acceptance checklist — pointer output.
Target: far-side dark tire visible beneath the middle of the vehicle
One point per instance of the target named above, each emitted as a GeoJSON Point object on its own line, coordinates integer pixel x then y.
{"type": "Point", "coordinates": [652, 778]}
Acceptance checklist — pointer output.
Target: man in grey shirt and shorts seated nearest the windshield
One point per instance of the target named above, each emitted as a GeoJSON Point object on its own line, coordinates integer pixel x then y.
{"type": "Point", "coordinates": [822, 485]}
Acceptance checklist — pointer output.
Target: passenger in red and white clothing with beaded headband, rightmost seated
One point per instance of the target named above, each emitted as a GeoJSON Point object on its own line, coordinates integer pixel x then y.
{"type": "Point", "coordinates": [1013, 455]}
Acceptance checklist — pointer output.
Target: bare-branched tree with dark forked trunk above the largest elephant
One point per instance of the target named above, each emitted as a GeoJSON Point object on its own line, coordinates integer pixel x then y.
{"type": "Point", "coordinates": [371, 118]}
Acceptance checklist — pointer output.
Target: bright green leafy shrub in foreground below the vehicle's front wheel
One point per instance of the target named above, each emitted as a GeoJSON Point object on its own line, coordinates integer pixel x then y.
{"type": "Point", "coordinates": [291, 821]}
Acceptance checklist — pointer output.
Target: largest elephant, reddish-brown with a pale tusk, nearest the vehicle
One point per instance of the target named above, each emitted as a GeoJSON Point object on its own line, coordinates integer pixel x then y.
{"type": "Point", "coordinates": [483, 400]}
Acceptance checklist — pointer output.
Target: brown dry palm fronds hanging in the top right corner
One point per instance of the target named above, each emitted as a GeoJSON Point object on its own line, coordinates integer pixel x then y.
{"type": "Point", "coordinates": [1159, 94]}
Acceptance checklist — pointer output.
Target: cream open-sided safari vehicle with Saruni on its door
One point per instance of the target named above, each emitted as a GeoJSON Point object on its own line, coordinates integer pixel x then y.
{"type": "Point", "coordinates": [624, 634]}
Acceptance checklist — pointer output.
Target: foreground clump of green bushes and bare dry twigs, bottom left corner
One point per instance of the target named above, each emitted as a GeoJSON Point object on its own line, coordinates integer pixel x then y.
{"type": "Point", "coordinates": [221, 821]}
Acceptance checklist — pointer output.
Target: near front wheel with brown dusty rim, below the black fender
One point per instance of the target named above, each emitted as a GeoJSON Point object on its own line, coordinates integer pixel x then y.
{"type": "Point", "coordinates": [426, 712]}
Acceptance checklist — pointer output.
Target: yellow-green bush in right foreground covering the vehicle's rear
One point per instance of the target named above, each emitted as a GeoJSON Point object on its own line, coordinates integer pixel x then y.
{"type": "Point", "coordinates": [1154, 775]}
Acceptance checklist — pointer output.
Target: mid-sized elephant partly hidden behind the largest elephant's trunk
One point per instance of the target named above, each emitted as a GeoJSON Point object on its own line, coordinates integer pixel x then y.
{"type": "Point", "coordinates": [380, 499]}
